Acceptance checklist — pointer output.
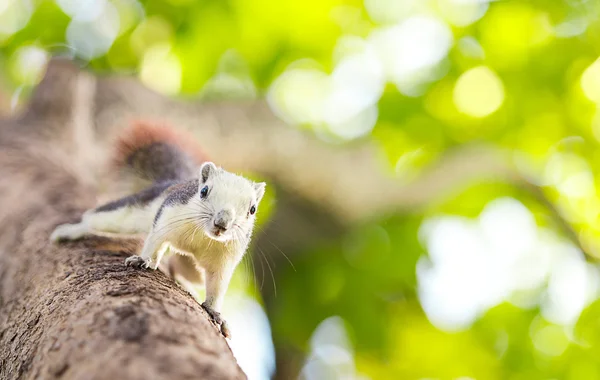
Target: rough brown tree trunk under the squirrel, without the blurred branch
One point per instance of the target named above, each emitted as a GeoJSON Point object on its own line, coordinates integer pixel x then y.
{"type": "Point", "coordinates": [75, 311]}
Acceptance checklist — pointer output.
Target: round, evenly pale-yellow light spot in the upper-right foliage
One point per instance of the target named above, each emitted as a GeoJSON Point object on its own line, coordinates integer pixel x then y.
{"type": "Point", "coordinates": [478, 92]}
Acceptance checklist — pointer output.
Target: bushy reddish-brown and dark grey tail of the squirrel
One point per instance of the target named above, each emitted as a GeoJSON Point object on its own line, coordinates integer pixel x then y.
{"type": "Point", "coordinates": [156, 153]}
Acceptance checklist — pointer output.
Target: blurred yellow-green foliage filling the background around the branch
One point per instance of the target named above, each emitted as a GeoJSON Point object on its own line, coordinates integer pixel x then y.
{"type": "Point", "coordinates": [533, 89]}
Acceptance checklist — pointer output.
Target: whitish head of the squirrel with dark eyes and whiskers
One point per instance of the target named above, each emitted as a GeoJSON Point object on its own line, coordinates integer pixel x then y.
{"type": "Point", "coordinates": [228, 203]}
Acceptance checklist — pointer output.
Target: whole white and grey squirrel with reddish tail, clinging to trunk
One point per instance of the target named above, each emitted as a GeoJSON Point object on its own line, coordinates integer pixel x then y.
{"type": "Point", "coordinates": [201, 212]}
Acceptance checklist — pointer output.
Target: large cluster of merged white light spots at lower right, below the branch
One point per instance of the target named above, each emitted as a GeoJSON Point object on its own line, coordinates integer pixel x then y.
{"type": "Point", "coordinates": [501, 256]}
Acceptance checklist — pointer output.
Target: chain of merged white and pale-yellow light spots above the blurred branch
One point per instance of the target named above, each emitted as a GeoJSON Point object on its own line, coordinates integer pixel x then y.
{"type": "Point", "coordinates": [343, 105]}
